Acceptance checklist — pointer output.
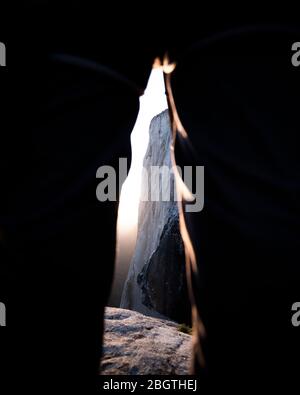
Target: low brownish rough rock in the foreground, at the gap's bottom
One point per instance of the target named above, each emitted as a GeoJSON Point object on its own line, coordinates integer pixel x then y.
{"type": "Point", "coordinates": [135, 344]}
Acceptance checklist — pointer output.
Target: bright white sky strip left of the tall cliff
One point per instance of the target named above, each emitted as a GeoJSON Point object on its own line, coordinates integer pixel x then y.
{"type": "Point", "coordinates": [152, 103]}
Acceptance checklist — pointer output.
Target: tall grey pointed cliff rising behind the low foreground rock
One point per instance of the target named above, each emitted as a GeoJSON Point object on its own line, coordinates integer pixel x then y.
{"type": "Point", "coordinates": [156, 282]}
